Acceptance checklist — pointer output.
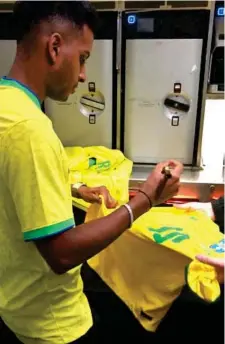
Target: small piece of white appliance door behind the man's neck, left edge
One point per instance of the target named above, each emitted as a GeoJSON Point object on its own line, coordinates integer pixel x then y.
{"type": "Point", "coordinates": [7, 55]}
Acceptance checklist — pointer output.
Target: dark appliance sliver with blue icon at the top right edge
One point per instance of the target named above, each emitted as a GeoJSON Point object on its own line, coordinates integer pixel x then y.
{"type": "Point", "coordinates": [216, 75]}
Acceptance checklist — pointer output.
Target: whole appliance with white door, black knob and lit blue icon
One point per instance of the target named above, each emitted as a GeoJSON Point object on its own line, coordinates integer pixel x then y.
{"type": "Point", "coordinates": [163, 61]}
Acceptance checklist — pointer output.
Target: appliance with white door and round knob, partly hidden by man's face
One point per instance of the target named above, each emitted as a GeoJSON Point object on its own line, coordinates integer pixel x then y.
{"type": "Point", "coordinates": [88, 117]}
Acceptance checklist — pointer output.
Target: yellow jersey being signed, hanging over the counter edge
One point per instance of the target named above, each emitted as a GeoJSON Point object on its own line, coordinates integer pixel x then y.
{"type": "Point", "coordinates": [151, 262]}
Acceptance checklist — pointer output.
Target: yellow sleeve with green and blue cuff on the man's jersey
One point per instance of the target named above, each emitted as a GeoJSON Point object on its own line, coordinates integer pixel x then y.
{"type": "Point", "coordinates": [37, 177]}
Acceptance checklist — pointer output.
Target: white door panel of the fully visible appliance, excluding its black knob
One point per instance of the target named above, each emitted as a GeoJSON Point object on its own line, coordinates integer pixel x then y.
{"type": "Point", "coordinates": [152, 69]}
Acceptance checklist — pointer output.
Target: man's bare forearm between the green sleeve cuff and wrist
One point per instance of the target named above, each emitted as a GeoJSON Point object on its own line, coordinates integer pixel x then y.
{"type": "Point", "coordinates": [86, 240]}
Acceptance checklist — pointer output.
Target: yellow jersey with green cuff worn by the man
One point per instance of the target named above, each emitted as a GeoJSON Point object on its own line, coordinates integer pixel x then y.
{"type": "Point", "coordinates": [35, 202]}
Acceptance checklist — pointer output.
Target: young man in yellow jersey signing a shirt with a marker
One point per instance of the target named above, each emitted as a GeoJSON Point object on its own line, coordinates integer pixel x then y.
{"type": "Point", "coordinates": [41, 294]}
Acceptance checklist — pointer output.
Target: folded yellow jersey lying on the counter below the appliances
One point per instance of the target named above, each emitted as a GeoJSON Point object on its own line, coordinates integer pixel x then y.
{"type": "Point", "coordinates": [96, 166]}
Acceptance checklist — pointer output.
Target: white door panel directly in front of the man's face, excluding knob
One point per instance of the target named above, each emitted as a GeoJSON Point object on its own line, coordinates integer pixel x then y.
{"type": "Point", "coordinates": [70, 124]}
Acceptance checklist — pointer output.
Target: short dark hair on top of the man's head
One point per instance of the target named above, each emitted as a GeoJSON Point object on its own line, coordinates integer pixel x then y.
{"type": "Point", "coordinates": [27, 14]}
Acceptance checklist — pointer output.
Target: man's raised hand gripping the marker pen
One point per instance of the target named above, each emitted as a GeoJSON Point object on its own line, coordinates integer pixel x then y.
{"type": "Point", "coordinates": [158, 187]}
